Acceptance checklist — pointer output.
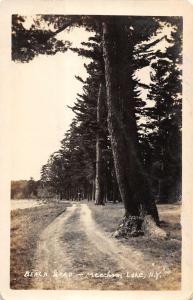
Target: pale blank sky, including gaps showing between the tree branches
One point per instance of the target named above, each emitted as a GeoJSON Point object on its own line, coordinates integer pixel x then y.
{"type": "Point", "coordinates": [39, 114]}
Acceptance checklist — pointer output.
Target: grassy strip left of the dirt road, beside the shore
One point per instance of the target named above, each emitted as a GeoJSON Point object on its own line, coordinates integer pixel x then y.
{"type": "Point", "coordinates": [26, 225]}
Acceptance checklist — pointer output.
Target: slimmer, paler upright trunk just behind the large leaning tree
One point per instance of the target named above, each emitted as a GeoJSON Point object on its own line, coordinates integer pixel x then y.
{"type": "Point", "coordinates": [99, 188]}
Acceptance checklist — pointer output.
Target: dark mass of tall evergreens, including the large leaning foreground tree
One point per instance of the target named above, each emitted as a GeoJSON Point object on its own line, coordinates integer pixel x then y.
{"type": "Point", "coordinates": [117, 148]}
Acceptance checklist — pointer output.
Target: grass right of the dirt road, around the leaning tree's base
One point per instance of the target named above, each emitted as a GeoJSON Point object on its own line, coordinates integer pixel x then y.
{"type": "Point", "coordinates": [168, 251]}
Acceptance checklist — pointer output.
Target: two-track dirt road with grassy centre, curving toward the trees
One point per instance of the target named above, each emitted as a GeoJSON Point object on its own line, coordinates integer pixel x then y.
{"type": "Point", "coordinates": [73, 252]}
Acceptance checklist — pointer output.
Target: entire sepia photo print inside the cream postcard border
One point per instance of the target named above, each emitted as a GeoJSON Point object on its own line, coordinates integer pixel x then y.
{"type": "Point", "coordinates": [96, 154]}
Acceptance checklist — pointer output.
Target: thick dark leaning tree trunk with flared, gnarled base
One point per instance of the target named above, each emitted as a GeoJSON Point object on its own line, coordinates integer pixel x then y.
{"type": "Point", "coordinates": [132, 181]}
